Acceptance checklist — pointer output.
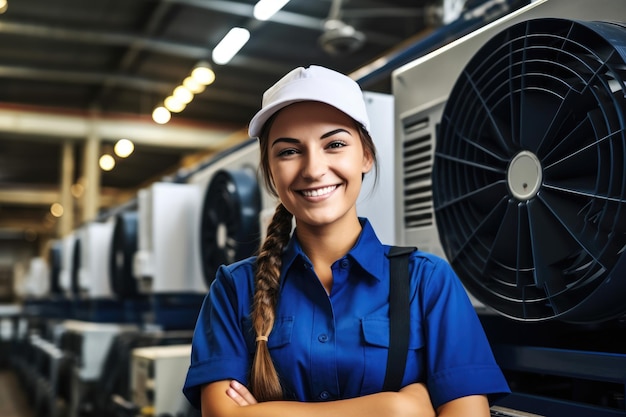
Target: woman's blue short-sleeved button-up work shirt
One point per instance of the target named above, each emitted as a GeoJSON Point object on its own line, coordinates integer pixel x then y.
{"type": "Point", "coordinates": [329, 347]}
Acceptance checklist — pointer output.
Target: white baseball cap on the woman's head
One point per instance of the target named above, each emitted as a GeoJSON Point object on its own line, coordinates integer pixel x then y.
{"type": "Point", "coordinates": [314, 83]}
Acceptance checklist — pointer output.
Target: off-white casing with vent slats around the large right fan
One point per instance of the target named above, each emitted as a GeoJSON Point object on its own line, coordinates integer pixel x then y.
{"type": "Point", "coordinates": [422, 89]}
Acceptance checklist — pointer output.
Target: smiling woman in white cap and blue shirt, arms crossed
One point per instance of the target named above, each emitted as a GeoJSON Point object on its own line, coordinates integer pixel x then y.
{"type": "Point", "coordinates": [302, 329]}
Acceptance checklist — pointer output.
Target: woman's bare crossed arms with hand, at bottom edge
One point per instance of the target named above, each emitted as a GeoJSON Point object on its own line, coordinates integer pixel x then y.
{"type": "Point", "coordinates": [232, 399]}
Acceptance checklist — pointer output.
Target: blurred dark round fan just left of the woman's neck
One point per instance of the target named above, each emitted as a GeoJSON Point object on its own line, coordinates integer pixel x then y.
{"type": "Point", "coordinates": [230, 229]}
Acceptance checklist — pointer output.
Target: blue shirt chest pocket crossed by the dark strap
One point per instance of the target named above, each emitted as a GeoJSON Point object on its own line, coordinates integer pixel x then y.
{"type": "Point", "coordinates": [375, 332]}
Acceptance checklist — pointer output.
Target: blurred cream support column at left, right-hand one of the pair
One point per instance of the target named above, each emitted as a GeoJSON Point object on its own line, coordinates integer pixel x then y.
{"type": "Point", "coordinates": [91, 173]}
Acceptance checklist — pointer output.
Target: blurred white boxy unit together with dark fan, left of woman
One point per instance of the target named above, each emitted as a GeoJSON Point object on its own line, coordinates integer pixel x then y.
{"type": "Point", "coordinates": [188, 227]}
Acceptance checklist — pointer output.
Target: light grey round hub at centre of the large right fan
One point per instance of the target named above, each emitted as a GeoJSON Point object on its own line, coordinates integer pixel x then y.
{"type": "Point", "coordinates": [524, 175]}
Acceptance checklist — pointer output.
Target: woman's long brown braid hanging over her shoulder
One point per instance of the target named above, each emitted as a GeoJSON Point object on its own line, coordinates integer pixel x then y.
{"type": "Point", "coordinates": [264, 380]}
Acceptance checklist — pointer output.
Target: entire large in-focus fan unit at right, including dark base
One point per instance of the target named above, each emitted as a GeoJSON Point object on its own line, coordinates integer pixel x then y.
{"type": "Point", "coordinates": [511, 145]}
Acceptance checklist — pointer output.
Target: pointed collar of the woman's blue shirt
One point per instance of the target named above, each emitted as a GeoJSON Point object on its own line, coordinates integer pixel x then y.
{"type": "Point", "coordinates": [367, 252]}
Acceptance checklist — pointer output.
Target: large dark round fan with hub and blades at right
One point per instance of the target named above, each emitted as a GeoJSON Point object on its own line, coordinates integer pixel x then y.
{"type": "Point", "coordinates": [529, 178]}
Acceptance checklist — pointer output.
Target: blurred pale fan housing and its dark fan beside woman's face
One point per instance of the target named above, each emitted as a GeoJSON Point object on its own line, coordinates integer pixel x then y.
{"type": "Point", "coordinates": [234, 208]}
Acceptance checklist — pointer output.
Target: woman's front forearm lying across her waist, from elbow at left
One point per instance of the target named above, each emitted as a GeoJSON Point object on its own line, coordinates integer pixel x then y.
{"type": "Point", "coordinates": [391, 404]}
